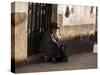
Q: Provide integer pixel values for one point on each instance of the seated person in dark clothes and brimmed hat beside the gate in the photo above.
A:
(52, 46)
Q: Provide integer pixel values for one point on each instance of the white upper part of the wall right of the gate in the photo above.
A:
(79, 15)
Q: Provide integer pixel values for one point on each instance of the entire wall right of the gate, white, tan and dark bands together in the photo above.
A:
(78, 29)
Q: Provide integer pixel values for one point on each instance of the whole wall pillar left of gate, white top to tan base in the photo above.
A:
(19, 25)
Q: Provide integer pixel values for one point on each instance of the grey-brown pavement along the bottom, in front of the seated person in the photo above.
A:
(77, 61)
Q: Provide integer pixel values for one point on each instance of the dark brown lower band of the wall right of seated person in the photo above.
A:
(80, 44)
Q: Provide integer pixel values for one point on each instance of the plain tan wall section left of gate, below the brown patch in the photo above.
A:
(21, 41)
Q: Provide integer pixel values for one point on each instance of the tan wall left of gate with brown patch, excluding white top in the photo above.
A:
(20, 33)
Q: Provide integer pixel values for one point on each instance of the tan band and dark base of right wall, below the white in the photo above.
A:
(78, 38)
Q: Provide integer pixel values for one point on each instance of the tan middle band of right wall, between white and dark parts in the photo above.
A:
(76, 30)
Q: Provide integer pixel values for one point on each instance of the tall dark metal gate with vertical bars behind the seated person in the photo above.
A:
(39, 19)
